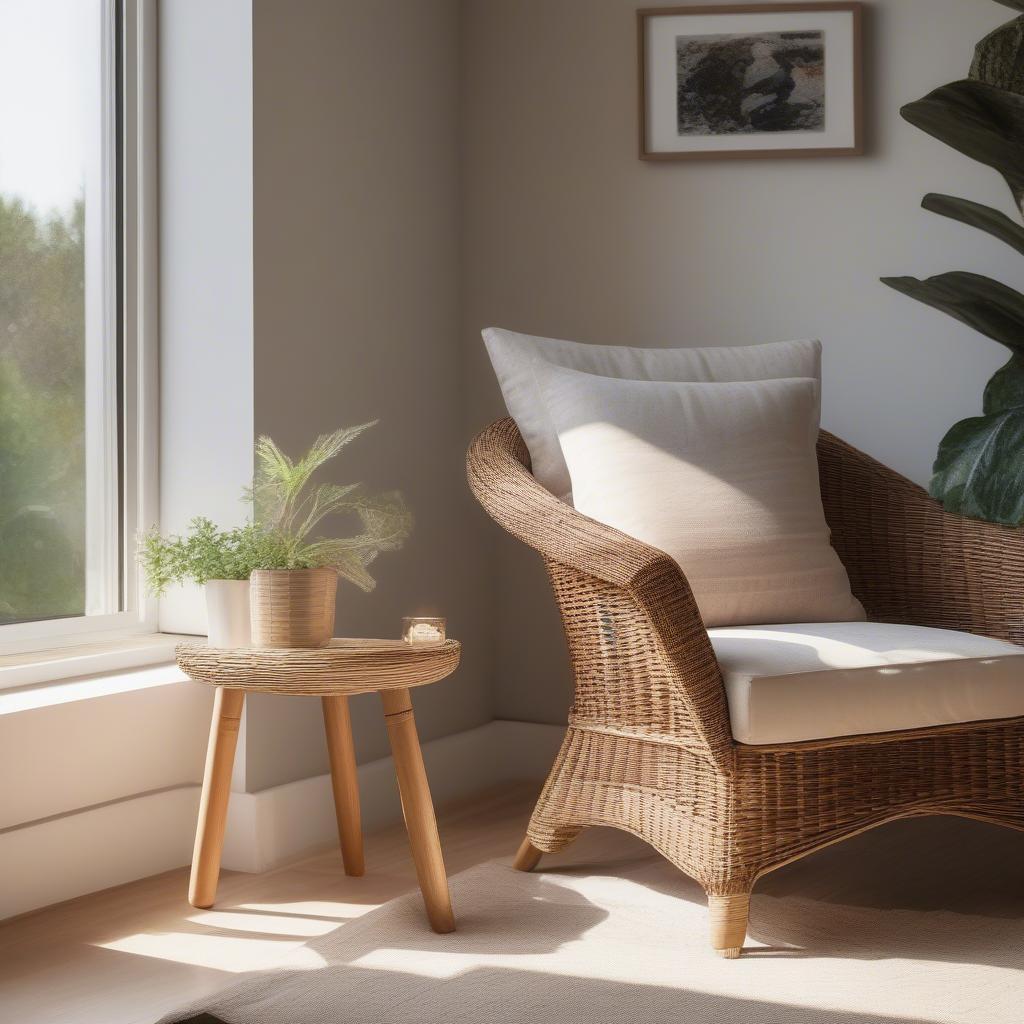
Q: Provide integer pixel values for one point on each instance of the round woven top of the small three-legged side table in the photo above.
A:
(346, 666)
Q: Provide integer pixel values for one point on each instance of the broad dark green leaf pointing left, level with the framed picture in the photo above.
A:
(984, 123)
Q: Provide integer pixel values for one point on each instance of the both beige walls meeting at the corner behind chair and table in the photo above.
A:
(424, 168)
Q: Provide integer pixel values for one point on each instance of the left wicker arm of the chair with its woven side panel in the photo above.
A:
(642, 657)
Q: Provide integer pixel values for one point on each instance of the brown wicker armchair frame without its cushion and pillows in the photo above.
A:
(649, 747)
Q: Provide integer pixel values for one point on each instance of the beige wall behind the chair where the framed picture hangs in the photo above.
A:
(568, 234)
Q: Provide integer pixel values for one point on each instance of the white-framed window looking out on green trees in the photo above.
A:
(76, 337)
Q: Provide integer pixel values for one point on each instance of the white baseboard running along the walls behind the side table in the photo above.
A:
(69, 856)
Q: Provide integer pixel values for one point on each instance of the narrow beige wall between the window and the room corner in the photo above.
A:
(357, 318)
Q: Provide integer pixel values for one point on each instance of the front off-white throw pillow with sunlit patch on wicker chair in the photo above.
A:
(722, 478)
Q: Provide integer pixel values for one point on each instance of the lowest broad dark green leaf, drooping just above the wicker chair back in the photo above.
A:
(979, 471)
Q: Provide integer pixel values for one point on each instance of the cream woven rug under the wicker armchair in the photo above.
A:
(918, 922)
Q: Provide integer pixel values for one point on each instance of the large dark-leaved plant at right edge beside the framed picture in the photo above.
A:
(979, 471)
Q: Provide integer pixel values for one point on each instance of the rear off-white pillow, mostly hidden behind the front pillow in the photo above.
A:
(516, 358)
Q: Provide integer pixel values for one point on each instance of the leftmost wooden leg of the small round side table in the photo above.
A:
(217, 790)
